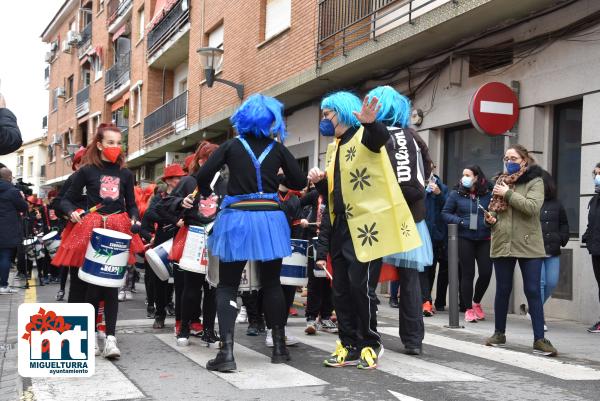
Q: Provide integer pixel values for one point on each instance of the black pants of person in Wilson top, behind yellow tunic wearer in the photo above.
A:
(411, 327)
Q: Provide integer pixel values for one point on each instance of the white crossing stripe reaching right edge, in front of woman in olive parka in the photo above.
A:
(547, 366)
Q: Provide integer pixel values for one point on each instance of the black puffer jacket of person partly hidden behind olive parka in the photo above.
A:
(555, 226)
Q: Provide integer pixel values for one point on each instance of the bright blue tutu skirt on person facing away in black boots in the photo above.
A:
(250, 235)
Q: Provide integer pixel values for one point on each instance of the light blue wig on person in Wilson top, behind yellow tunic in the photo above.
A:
(395, 108)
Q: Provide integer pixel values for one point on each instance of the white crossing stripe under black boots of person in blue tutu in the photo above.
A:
(255, 370)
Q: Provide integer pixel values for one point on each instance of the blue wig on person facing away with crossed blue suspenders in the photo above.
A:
(260, 116)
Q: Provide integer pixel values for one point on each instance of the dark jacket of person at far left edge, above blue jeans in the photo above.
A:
(12, 205)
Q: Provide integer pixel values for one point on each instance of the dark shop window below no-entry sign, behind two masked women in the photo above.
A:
(464, 146)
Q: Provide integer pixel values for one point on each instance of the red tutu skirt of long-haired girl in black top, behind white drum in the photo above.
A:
(74, 242)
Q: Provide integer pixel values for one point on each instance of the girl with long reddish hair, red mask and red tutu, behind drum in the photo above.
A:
(108, 182)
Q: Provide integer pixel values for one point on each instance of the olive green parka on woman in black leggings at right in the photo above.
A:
(518, 231)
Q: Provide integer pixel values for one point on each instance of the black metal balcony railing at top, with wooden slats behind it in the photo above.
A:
(346, 24)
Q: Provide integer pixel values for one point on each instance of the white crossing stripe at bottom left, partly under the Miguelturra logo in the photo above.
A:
(114, 385)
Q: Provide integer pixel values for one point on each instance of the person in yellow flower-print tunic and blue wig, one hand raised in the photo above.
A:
(369, 220)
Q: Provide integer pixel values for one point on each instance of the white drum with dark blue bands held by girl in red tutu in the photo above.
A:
(106, 258)
